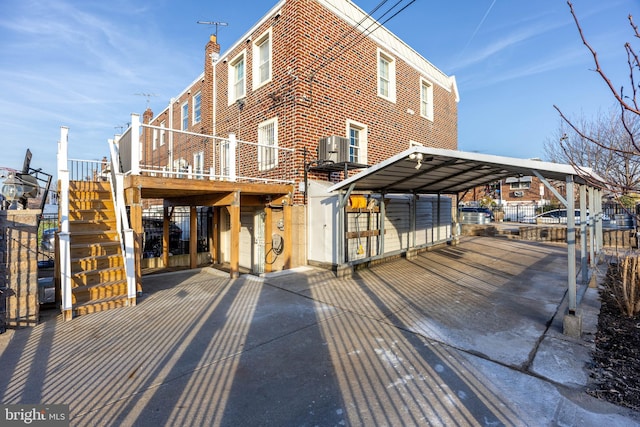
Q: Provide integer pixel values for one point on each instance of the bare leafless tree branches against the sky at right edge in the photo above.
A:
(612, 141)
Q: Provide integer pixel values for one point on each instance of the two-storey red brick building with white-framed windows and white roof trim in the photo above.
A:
(309, 69)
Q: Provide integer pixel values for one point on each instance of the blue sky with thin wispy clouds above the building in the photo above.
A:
(89, 64)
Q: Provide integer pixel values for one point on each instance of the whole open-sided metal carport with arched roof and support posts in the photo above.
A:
(424, 170)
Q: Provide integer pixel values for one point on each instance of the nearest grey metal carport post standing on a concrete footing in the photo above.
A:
(572, 322)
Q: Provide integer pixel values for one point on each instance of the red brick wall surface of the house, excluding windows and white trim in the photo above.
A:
(317, 84)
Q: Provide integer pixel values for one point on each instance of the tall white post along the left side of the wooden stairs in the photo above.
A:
(64, 254)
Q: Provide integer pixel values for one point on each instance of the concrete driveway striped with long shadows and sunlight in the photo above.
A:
(464, 335)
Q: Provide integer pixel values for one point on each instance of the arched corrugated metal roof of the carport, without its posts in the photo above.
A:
(451, 171)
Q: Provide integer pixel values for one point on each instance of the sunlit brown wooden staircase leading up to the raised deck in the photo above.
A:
(98, 274)
